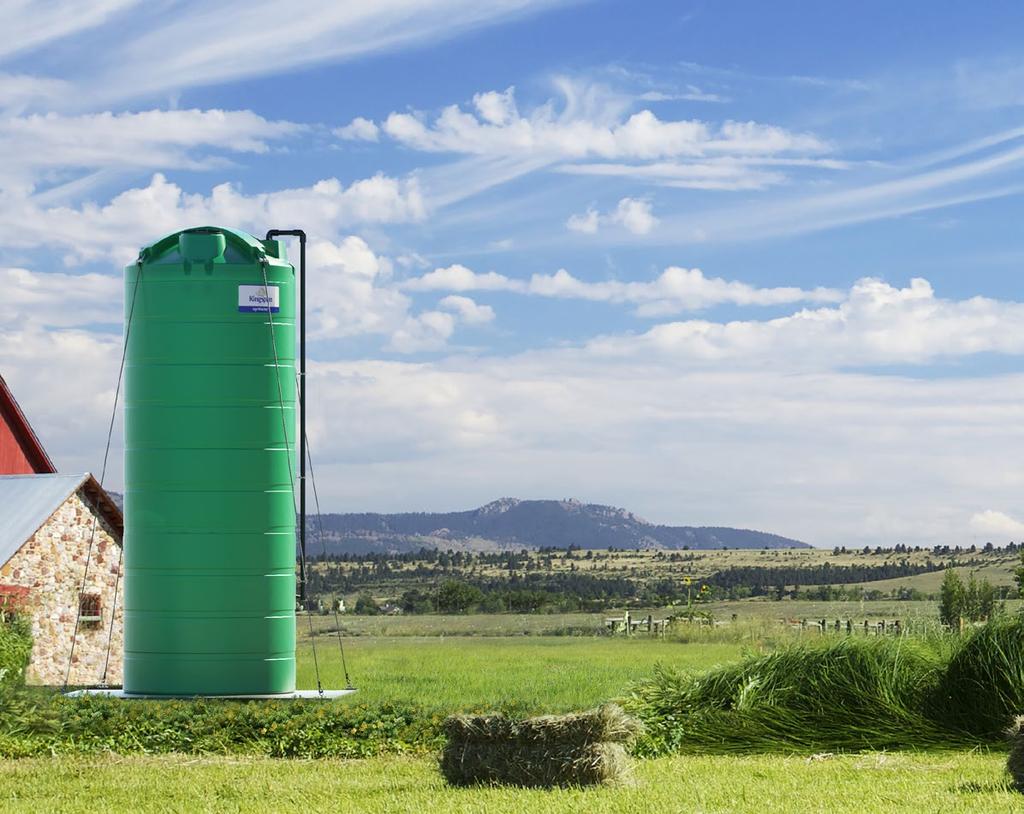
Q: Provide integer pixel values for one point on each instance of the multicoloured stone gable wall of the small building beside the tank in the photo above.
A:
(52, 564)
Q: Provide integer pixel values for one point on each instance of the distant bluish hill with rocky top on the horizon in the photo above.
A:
(511, 524)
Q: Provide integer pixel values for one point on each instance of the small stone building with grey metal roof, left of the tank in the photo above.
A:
(60, 561)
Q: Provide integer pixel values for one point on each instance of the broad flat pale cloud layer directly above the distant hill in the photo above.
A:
(826, 457)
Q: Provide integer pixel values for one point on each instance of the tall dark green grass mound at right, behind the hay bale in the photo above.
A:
(843, 695)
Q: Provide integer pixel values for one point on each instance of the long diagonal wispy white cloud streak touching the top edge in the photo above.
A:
(324, 31)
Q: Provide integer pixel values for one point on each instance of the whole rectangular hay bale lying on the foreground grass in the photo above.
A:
(583, 749)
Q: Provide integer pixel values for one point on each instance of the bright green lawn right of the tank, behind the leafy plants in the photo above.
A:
(525, 675)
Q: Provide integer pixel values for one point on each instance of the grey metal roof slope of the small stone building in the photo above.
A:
(27, 502)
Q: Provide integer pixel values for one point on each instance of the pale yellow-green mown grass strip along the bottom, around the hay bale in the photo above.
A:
(867, 784)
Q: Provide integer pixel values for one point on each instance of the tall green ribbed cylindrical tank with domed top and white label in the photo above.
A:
(209, 506)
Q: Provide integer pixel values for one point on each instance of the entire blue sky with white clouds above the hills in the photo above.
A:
(735, 264)
